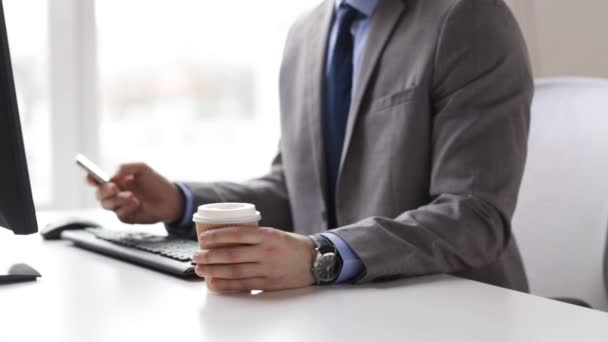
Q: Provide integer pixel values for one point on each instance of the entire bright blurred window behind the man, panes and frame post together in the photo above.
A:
(189, 86)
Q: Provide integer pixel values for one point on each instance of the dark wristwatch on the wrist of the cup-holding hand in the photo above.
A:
(327, 263)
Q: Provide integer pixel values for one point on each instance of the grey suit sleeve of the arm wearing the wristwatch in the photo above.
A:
(481, 92)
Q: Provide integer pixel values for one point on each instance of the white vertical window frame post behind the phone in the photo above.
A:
(73, 99)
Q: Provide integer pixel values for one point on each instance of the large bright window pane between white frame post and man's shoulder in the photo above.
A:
(191, 87)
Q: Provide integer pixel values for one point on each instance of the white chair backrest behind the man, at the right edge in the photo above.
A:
(562, 214)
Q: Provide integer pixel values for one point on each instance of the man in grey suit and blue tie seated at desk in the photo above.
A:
(404, 129)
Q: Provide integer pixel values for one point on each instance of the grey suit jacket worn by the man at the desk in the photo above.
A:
(435, 144)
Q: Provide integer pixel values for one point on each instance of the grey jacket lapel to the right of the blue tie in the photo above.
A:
(383, 22)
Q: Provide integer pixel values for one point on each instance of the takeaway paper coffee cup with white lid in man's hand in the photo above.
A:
(218, 215)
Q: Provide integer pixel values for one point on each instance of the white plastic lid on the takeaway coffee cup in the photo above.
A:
(219, 213)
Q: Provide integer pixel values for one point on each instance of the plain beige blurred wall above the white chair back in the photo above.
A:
(565, 37)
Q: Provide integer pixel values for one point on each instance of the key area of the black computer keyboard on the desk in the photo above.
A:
(166, 246)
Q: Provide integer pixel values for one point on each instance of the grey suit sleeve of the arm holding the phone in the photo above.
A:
(268, 193)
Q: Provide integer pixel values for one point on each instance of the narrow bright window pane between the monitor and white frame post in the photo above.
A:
(26, 23)
